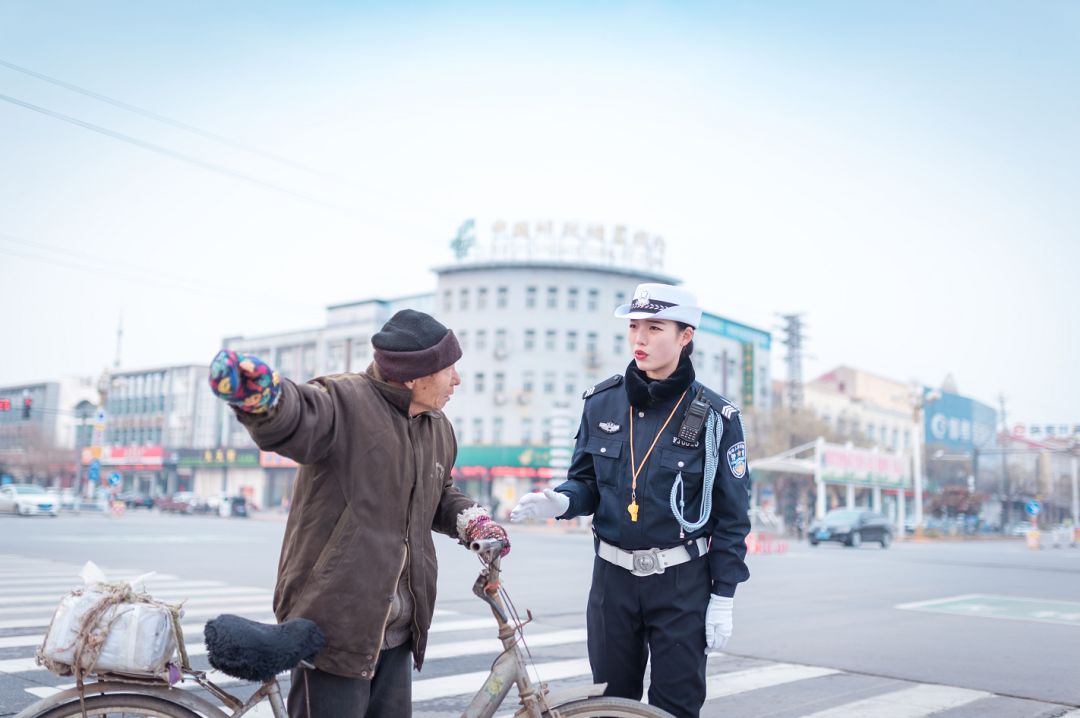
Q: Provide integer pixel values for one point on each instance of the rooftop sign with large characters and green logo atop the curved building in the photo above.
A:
(570, 242)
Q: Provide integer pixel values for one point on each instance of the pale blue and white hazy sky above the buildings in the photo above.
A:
(902, 173)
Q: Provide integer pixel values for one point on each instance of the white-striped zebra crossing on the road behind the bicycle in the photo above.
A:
(462, 648)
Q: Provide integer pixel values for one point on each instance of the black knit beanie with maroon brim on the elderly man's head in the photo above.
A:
(414, 345)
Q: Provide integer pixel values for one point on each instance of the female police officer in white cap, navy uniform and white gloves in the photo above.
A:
(661, 464)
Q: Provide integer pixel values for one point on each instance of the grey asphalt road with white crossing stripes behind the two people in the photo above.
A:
(968, 629)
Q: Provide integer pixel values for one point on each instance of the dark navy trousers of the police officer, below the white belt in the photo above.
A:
(631, 617)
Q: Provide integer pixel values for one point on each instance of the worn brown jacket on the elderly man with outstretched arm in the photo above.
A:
(373, 485)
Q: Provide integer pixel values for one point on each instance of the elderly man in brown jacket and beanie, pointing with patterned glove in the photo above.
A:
(358, 559)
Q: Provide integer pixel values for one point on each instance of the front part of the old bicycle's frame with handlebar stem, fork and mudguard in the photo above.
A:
(510, 669)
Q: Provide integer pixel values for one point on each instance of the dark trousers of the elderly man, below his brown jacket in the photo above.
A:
(389, 695)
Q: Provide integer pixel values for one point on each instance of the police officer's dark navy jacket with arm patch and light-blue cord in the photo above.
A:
(600, 479)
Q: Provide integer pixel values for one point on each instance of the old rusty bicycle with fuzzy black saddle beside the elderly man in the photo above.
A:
(125, 696)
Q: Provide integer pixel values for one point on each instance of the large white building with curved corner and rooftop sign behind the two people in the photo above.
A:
(534, 311)
